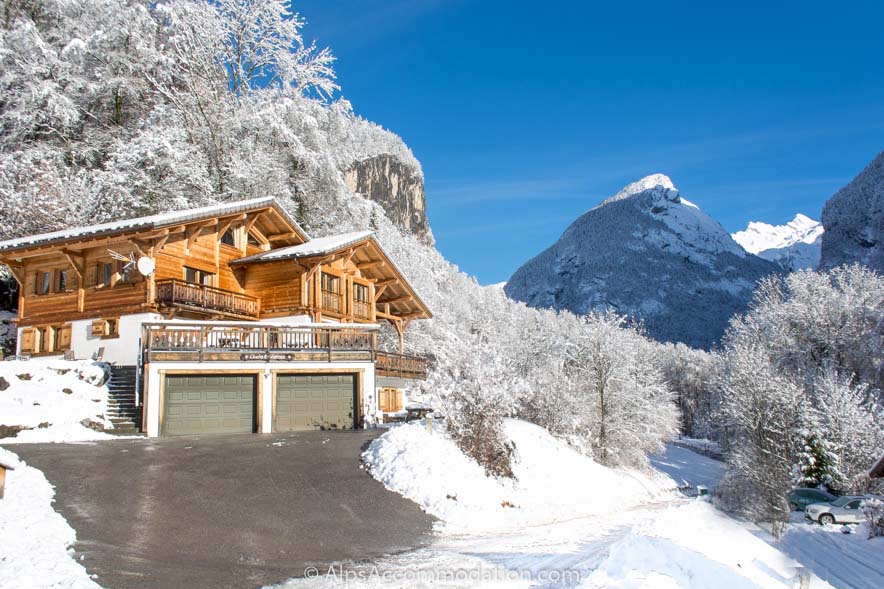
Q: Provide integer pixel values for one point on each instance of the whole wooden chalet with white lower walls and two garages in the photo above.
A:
(224, 318)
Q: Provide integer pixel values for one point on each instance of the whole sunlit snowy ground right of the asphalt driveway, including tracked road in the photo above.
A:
(581, 524)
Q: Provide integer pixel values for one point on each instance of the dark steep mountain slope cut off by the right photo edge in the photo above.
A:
(854, 221)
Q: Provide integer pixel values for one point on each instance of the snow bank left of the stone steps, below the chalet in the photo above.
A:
(52, 398)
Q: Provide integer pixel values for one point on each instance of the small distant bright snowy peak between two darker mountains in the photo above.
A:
(794, 246)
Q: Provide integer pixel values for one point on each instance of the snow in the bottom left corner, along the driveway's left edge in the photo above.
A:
(34, 539)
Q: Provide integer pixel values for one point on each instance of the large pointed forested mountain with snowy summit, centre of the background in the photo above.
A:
(651, 254)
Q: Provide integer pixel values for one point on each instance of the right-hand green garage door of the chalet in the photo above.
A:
(314, 401)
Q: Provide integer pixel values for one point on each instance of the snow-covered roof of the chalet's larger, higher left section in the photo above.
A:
(158, 221)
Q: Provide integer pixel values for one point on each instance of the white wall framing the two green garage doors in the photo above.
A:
(151, 425)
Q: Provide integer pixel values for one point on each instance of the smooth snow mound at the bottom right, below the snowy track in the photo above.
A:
(694, 545)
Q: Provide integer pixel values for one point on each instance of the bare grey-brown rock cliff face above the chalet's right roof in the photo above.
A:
(396, 187)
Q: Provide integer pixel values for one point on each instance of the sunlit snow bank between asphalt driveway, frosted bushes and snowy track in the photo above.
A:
(552, 481)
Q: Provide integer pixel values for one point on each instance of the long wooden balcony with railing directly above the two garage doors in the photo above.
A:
(214, 342)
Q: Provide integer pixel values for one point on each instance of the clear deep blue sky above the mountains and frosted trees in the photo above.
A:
(525, 115)
